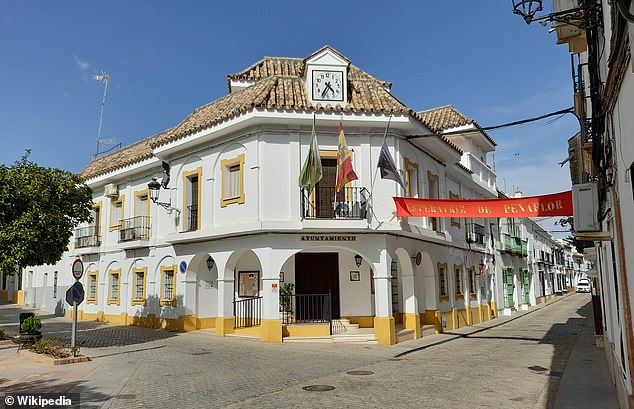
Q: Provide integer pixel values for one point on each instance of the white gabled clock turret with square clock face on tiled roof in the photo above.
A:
(327, 77)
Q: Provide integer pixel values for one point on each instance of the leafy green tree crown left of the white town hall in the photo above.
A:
(39, 208)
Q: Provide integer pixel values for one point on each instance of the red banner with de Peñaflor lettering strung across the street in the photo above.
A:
(558, 204)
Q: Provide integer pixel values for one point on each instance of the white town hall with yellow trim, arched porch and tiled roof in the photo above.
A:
(231, 228)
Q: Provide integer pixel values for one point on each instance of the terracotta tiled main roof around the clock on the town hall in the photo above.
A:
(278, 84)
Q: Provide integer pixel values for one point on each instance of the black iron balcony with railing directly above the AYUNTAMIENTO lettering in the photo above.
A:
(325, 203)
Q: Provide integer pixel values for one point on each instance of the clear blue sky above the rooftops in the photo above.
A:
(167, 58)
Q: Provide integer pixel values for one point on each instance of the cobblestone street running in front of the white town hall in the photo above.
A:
(518, 362)
